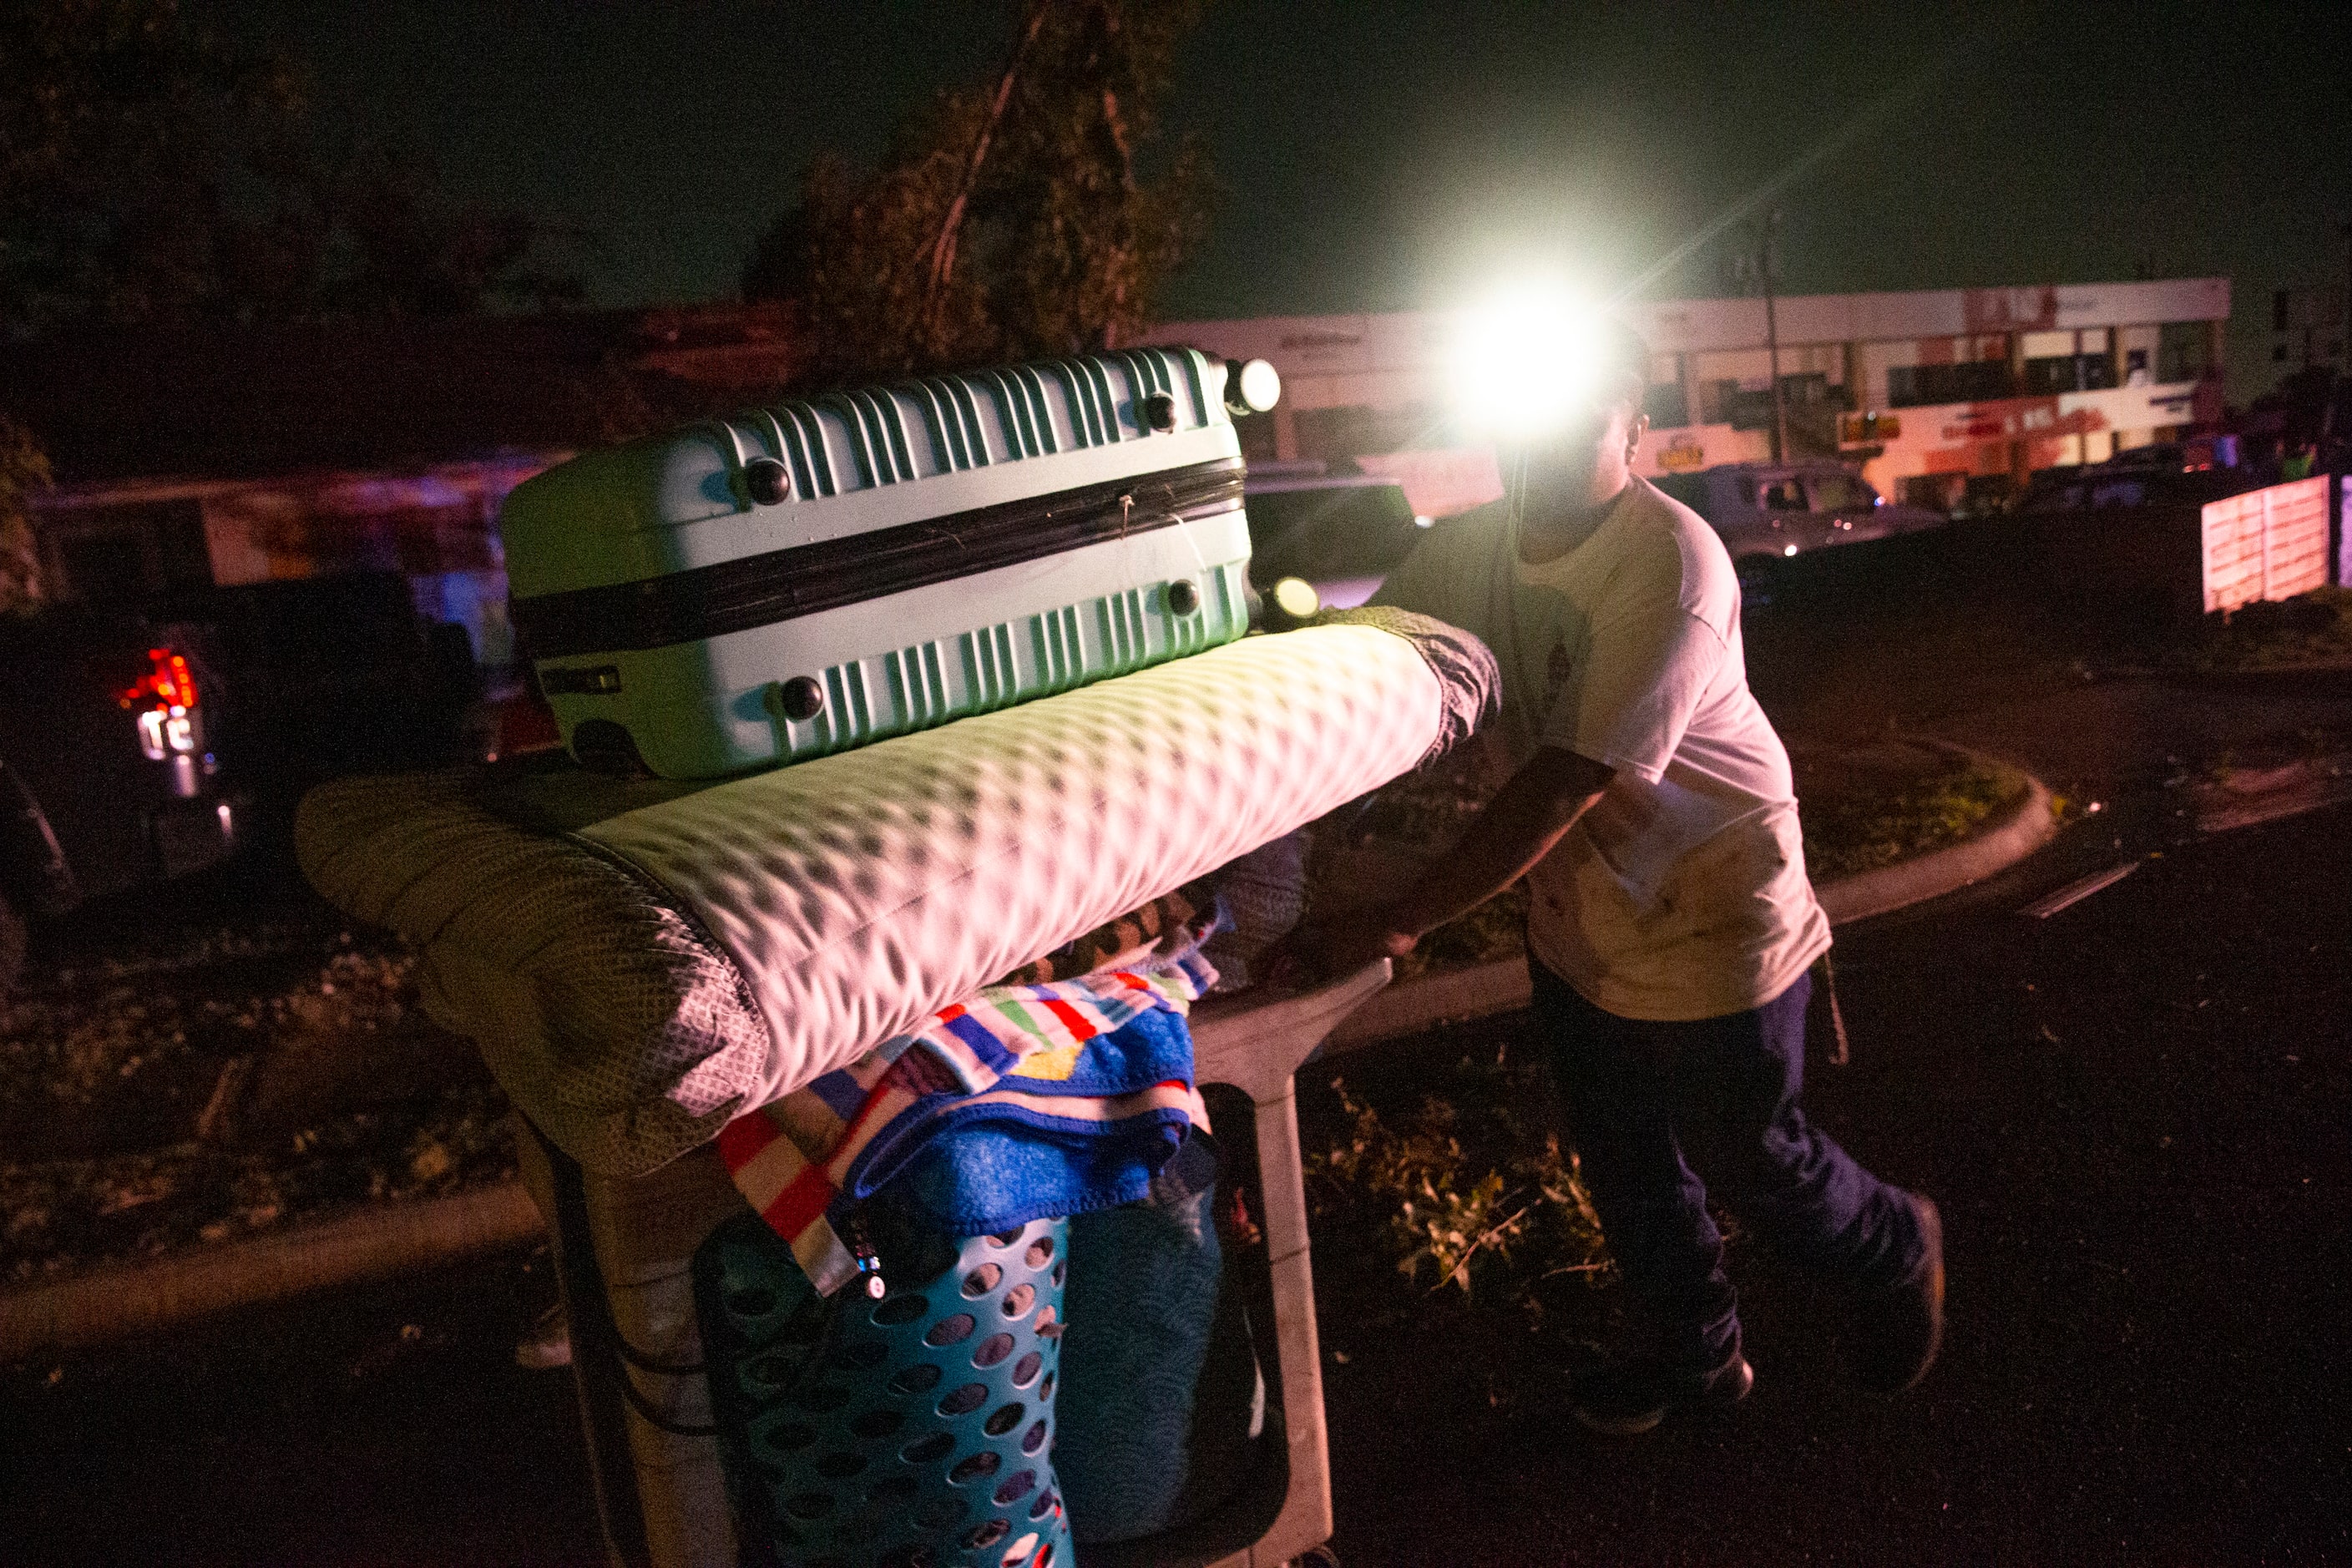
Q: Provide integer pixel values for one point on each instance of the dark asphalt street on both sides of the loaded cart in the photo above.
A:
(2132, 1113)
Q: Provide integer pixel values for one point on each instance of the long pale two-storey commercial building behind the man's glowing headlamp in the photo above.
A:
(1944, 396)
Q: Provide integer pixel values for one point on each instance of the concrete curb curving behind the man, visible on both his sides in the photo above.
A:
(1502, 986)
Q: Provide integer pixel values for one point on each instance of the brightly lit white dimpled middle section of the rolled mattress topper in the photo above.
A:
(862, 892)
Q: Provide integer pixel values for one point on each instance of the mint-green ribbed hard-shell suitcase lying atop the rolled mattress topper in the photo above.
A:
(822, 575)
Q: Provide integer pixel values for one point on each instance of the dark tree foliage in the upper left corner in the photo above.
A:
(149, 175)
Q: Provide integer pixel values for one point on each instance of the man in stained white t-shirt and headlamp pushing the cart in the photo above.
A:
(1671, 920)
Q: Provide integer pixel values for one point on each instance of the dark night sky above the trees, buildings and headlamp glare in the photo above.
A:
(1384, 156)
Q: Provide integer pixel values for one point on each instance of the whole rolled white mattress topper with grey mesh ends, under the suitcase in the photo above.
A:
(646, 960)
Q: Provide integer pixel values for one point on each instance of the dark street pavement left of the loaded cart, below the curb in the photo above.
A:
(368, 1428)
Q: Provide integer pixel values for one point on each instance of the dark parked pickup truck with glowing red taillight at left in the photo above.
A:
(123, 728)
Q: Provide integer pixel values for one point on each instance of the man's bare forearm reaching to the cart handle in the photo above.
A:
(1518, 829)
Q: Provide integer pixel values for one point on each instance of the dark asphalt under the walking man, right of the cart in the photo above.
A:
(2134, 1120)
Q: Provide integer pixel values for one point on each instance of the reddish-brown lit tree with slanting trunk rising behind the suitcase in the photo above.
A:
(1010, 220)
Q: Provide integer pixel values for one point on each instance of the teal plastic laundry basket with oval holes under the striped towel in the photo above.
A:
(900, 1433)
